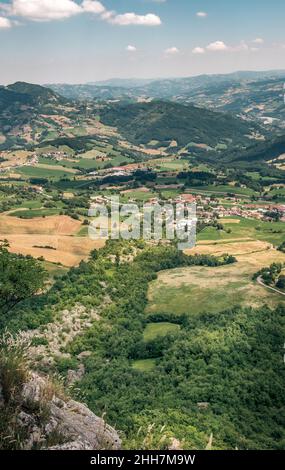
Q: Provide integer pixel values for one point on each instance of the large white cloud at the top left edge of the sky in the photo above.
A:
(43, 10)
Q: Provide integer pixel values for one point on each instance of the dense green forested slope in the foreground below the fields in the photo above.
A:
(219, 374)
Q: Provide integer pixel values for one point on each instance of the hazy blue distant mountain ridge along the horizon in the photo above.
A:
(256, 95)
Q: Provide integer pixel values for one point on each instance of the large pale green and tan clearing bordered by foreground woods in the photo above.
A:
(195, 290)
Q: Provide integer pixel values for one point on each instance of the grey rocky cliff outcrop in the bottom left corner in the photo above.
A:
(44, 420)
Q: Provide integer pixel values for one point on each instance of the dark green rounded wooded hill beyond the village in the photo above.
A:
(166, 121)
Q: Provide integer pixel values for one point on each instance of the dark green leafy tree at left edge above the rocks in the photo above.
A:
(20, 278)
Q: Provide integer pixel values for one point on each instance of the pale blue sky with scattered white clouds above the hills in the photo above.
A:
(78, 41)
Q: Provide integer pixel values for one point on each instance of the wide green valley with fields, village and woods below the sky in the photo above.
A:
(151, 337)
